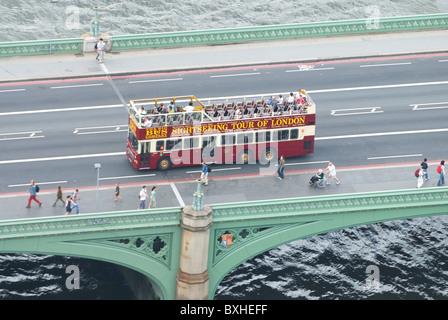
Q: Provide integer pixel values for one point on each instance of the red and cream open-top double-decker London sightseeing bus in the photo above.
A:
(182, 131)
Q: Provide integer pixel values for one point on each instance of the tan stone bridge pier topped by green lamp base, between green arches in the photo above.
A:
(192, 280)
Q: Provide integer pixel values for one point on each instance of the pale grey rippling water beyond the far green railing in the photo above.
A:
(31, 20)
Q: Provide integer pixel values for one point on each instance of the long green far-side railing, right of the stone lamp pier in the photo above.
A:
(277, 32)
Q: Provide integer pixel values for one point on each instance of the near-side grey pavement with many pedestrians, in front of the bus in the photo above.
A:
(224, 189)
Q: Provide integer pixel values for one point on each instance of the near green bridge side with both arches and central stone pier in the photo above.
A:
(161, 243)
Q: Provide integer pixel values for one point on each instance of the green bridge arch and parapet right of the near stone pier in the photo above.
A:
(257, 226)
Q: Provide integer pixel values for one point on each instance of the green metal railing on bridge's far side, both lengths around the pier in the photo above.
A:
(235, 35)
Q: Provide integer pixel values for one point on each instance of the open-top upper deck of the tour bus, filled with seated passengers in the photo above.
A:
(188, 110)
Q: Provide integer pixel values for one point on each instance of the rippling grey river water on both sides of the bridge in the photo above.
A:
(410, 256)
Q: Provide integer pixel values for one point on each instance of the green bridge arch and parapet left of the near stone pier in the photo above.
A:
(144, 242)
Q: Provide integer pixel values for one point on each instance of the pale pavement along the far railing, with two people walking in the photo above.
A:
(190, 58)
